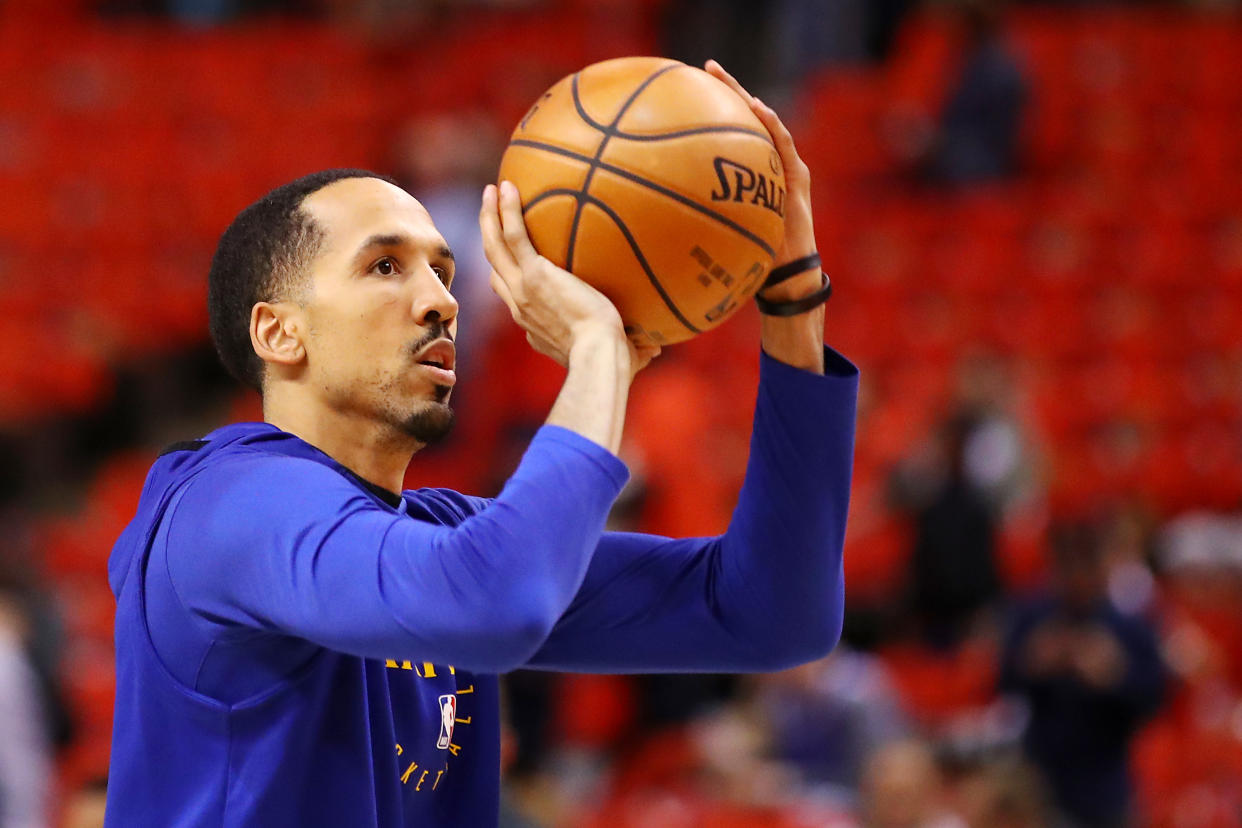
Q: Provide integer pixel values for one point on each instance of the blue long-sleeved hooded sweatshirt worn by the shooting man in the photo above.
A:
(299, 647)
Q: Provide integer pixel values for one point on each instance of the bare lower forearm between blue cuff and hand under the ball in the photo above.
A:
(593, 400)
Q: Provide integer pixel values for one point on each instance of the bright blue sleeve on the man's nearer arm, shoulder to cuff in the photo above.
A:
(291, 547)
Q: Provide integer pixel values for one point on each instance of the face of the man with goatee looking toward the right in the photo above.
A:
(381, 320)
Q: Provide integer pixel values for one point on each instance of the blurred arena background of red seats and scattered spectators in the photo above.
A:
(1033, 214)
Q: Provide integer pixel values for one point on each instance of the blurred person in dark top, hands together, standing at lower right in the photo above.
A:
(1091, 677)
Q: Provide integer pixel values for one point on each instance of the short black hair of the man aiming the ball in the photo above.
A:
(260, 259)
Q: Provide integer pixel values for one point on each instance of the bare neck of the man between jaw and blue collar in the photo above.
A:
(373, 451)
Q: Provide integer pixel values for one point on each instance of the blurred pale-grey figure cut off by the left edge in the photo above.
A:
(25, 748)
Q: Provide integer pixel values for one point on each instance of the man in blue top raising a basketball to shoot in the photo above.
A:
(300, 645)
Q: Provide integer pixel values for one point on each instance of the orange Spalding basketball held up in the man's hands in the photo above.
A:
(655, 183)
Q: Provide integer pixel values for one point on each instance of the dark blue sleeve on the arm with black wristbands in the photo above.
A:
(766, 595)
